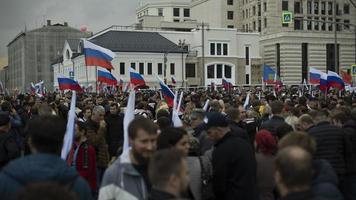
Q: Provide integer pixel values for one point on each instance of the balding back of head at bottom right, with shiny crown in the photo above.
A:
(294, 168)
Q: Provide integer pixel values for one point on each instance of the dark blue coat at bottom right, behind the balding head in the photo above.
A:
(325, 181)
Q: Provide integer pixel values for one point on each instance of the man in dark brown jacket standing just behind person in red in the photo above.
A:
(96, 135)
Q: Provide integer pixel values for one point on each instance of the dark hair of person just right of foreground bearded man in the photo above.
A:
(170, 137)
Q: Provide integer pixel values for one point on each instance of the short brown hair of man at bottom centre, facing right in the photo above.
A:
(164, 164)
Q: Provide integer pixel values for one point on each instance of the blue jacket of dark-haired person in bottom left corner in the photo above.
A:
(40, 168)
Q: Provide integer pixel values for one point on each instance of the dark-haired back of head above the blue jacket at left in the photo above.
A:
(46, 133)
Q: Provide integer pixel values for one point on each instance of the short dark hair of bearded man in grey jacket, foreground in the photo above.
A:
(141, 123)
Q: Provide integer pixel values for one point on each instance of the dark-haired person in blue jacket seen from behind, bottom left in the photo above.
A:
(45, 164)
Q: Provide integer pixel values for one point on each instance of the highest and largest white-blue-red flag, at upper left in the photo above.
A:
(97, 56)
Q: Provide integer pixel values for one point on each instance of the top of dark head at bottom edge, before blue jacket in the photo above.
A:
(46, 191)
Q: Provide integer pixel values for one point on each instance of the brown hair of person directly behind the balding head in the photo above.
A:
(300, 139)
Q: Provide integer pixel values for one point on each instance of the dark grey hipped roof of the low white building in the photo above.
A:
(136, 41)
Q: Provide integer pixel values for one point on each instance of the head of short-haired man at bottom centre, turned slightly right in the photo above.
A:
(168, 172)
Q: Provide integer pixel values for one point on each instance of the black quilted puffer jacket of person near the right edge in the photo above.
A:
(330, 145)
